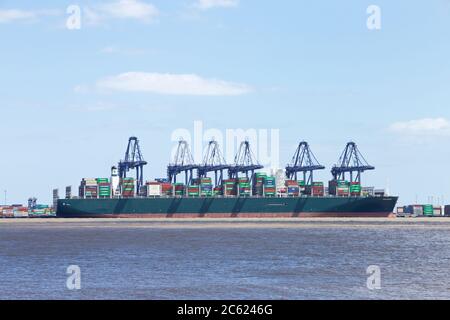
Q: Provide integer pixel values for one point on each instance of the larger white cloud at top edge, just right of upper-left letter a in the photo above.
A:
(121, 9)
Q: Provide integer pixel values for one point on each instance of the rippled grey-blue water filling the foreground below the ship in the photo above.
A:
(286, 259)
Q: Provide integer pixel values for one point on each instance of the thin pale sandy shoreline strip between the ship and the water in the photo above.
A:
(230, 223)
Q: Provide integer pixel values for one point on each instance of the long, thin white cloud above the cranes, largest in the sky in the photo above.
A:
(171, 84)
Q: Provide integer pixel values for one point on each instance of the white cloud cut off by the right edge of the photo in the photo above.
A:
(426, 126)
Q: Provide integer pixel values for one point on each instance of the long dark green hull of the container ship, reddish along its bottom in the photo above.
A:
(228, 207)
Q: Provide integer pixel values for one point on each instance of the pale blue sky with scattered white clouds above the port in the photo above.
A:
(73, 90)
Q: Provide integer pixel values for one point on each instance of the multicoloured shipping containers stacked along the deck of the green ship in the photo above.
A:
(263, 185)
